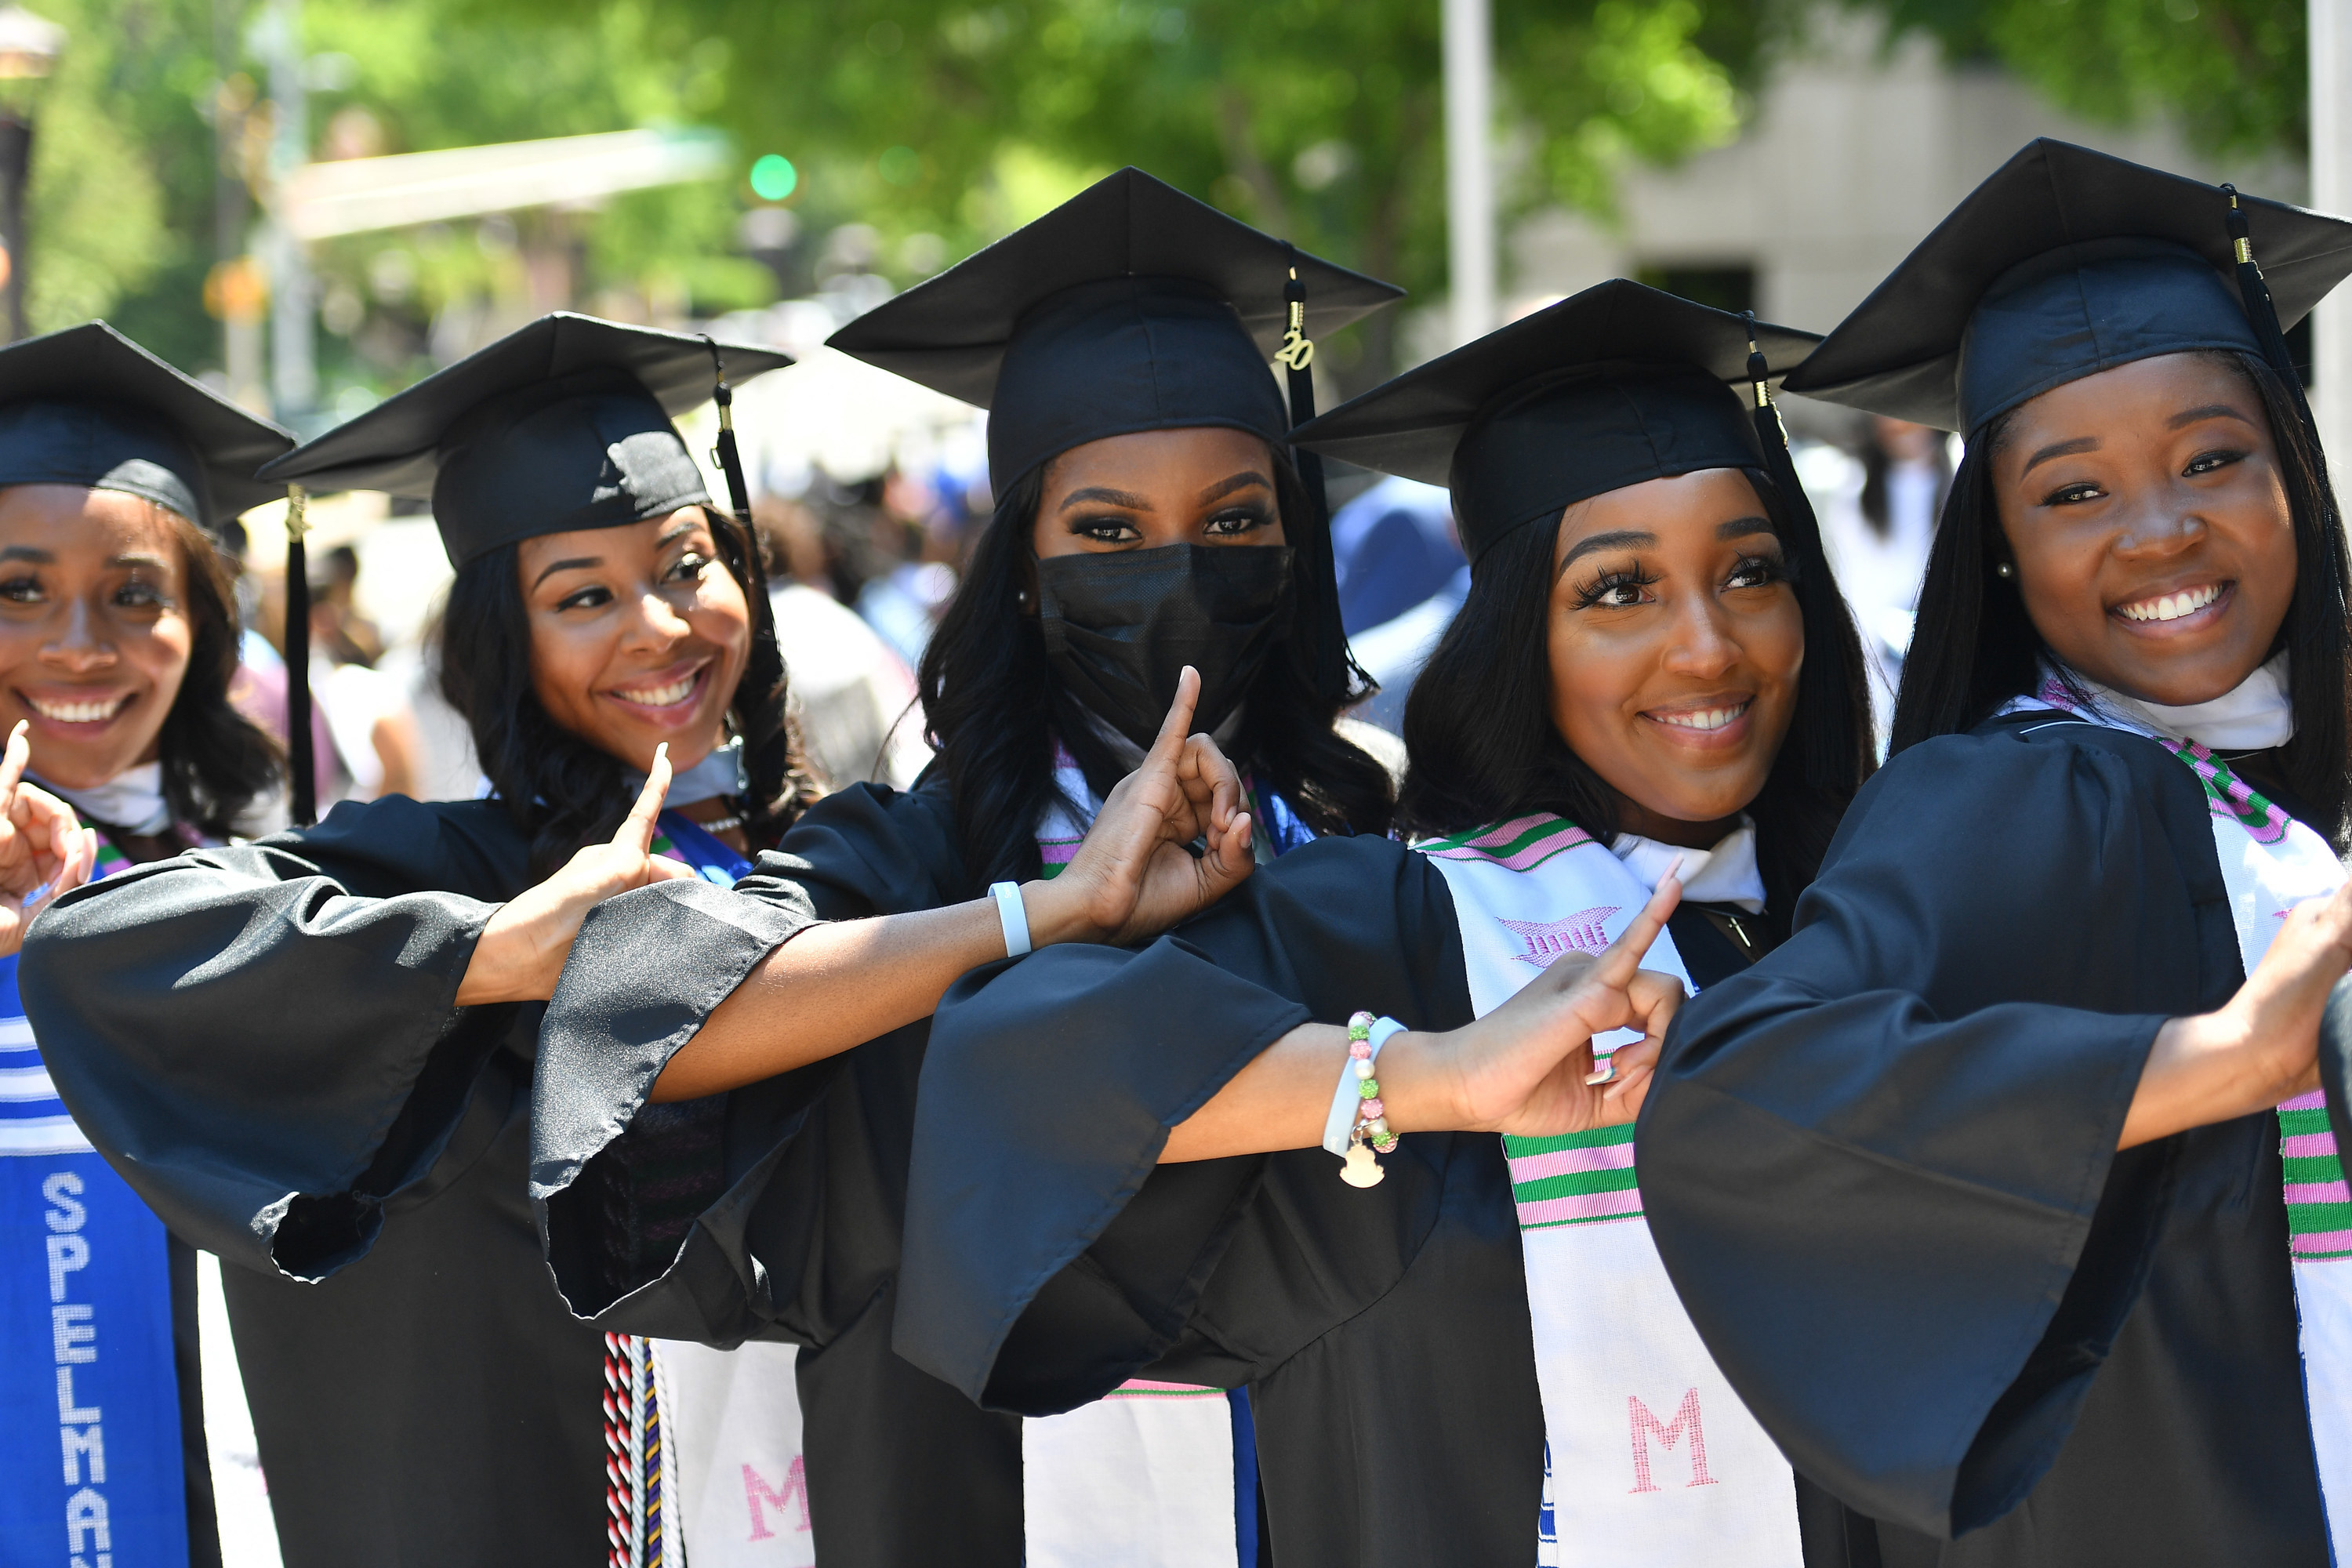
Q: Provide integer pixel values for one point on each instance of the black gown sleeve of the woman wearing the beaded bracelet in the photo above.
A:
(1050, 1257)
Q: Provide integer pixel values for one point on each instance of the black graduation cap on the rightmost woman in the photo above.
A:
(2064, 264)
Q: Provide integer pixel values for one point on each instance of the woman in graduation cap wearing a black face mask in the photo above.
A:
(1149, 518)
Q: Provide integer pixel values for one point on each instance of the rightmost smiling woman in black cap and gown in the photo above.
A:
(1977, 1186)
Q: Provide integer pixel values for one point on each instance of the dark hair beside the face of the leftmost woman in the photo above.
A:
(215, 760)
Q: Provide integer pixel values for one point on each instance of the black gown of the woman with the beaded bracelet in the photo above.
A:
(1387, 1332)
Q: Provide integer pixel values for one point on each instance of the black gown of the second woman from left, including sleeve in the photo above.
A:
(265, 1043)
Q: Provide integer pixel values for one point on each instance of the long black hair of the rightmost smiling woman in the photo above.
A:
(1977, 648)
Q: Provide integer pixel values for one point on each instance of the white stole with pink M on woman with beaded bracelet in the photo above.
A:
(1650, 1456)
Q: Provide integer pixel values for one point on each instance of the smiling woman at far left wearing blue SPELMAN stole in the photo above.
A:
(119, 643)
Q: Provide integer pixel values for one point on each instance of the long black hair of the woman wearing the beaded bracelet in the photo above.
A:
(1485, 746)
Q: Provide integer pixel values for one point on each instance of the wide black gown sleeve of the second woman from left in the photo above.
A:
(267, 1040)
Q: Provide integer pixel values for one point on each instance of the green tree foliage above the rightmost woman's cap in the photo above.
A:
(2233, 72)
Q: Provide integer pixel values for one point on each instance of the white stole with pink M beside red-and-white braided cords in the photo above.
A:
(702, 1442)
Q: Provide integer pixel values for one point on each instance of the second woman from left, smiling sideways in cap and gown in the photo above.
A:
(312, 1054)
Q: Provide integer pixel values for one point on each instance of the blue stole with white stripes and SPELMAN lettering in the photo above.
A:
(86, 1306)
